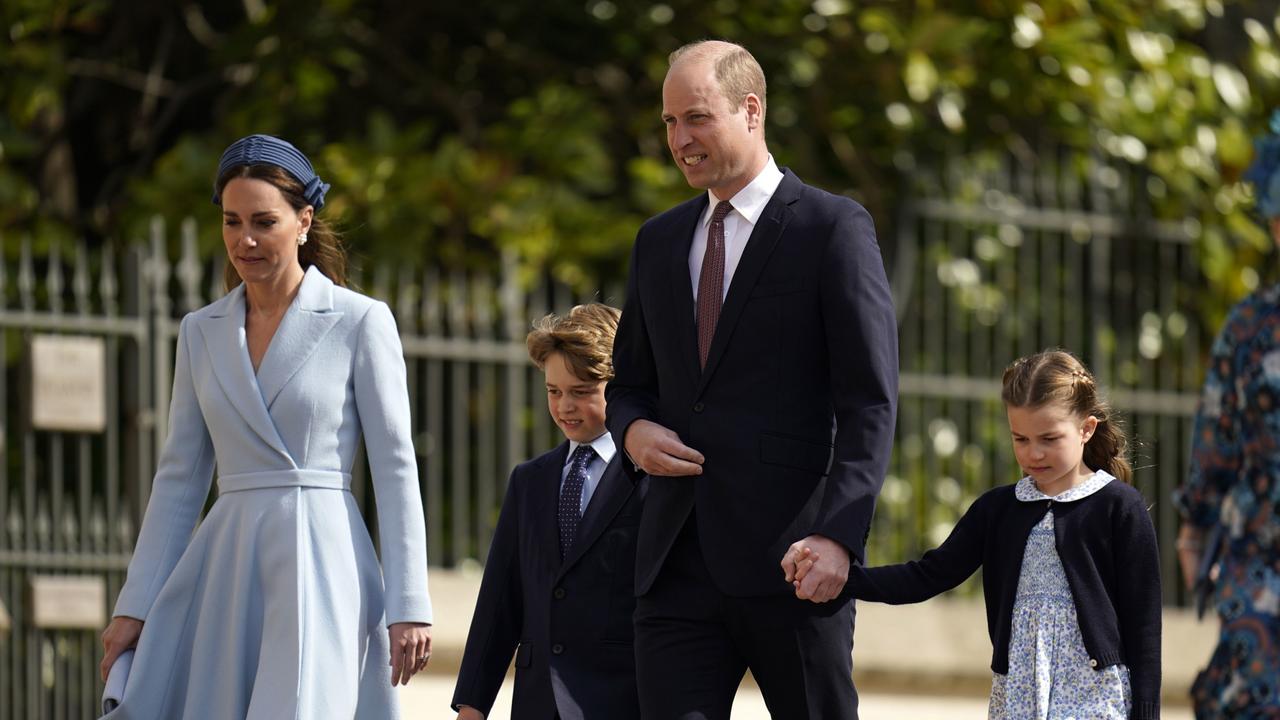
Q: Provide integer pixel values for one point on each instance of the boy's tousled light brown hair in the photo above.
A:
(584, 338)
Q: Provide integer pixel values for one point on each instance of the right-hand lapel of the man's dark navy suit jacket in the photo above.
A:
(756, 256)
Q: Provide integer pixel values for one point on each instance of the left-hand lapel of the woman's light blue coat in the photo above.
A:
(226, 343)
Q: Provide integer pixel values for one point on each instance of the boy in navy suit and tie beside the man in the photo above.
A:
(559, 585)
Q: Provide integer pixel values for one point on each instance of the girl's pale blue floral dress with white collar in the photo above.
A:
(1050, 677)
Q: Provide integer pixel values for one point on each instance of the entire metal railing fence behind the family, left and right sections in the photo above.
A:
(994, 261)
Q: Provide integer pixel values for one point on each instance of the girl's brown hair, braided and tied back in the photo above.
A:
(1055, 377)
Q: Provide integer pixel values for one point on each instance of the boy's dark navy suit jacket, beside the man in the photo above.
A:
(569, 625)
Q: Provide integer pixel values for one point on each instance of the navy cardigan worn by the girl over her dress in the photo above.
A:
(1108, 546)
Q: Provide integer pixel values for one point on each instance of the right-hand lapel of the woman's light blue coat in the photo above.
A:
(304, 326)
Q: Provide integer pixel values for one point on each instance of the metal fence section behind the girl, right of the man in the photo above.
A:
(999, 259)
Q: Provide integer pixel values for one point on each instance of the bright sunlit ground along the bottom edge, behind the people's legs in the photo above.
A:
(428, 699)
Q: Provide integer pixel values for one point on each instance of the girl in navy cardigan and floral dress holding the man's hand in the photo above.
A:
(1069, 558)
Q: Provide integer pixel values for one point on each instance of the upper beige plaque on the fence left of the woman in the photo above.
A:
(68, 384)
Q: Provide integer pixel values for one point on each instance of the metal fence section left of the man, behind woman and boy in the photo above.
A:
(71, 503)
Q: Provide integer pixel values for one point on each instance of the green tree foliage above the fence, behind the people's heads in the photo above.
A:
(454, 131)
